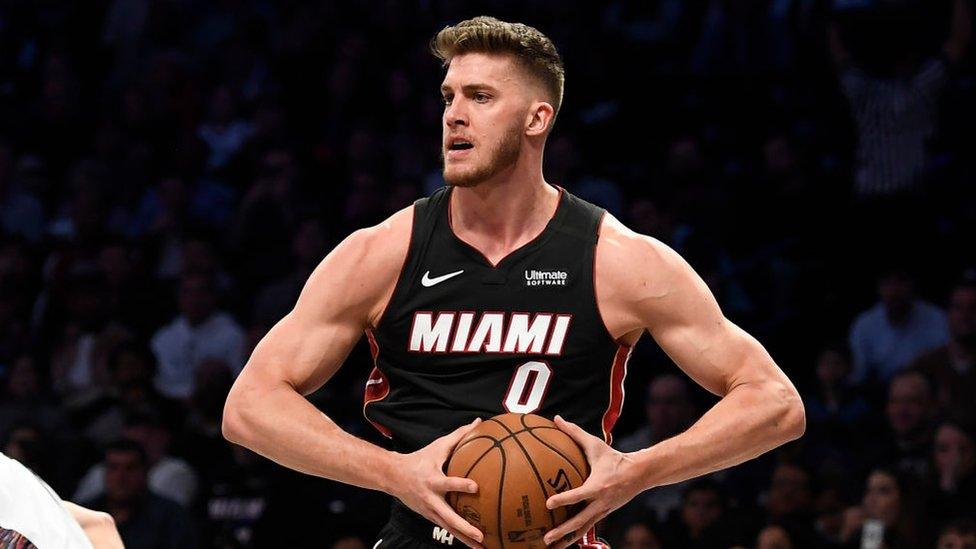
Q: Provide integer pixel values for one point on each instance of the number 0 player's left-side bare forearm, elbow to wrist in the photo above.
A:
(281, 425)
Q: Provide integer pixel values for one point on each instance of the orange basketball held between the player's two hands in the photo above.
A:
(518, 461)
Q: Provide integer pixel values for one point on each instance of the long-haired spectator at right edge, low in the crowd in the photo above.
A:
(954, 471)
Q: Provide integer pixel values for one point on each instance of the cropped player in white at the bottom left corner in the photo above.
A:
(33, 516)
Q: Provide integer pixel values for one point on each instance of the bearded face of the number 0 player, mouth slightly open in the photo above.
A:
(485, 104)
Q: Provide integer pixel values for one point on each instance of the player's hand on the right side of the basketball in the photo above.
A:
(611, 484)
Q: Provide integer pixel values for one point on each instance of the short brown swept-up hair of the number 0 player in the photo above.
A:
(533, 50)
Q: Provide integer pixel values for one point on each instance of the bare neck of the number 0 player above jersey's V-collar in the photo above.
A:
(499, 215)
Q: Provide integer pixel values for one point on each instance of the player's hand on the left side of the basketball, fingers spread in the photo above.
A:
(422, 485)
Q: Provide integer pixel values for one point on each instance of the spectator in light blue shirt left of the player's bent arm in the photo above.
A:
(200, 332)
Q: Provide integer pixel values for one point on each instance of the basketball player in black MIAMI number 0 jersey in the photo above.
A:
(501, 292)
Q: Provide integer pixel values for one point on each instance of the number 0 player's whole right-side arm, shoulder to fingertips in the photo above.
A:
(643, 284)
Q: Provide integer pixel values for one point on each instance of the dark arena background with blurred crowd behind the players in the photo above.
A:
(171, 171)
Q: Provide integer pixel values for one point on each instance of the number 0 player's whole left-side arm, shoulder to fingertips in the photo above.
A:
(267, 411)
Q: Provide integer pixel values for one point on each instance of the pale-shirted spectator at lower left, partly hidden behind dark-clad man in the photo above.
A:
(167, 476)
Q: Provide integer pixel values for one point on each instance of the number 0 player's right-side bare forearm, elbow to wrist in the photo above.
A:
(750, 420)
